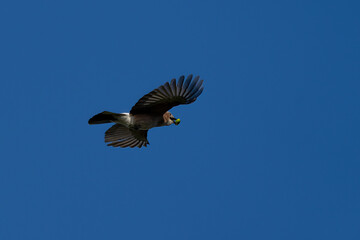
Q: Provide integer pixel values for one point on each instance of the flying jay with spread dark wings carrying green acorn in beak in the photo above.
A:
(152, 110)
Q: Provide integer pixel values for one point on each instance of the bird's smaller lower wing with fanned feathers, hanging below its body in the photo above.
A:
(121, 136)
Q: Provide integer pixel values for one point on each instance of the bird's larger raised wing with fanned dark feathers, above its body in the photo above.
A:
(169, 95)
